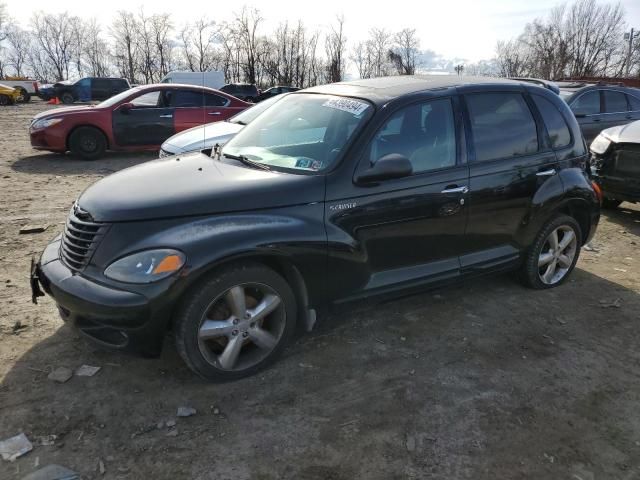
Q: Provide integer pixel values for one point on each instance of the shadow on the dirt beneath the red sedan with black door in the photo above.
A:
(65, 164)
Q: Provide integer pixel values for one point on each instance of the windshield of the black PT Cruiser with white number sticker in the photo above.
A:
(303, 132)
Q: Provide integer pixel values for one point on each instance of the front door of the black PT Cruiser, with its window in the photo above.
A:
(406, 231)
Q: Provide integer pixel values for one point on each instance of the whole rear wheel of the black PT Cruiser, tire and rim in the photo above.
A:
(538, 275)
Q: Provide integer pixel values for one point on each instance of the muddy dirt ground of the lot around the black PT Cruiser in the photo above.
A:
(485, 380)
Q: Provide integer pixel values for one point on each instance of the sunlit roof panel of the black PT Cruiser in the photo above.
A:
(383, 89)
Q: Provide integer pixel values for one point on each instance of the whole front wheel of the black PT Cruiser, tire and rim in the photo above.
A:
(208, 351)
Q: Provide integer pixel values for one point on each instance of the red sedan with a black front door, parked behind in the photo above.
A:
(139, 119)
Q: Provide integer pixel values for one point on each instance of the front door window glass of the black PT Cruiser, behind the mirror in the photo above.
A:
(424, 133)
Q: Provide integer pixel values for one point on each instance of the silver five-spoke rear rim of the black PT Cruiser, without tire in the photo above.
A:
(557, 255)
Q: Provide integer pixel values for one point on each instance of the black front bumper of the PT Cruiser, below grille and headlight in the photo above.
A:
(114, 318)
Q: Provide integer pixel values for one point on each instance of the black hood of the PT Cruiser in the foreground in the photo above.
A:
(194, 184)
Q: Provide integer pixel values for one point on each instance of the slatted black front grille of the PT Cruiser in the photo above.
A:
(80, 240)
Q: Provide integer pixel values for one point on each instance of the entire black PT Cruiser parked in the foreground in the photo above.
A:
(333, 194)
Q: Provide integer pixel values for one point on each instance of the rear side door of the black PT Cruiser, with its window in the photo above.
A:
(509, 161)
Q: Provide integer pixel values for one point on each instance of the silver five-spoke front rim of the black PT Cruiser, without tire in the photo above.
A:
(241, 327)
